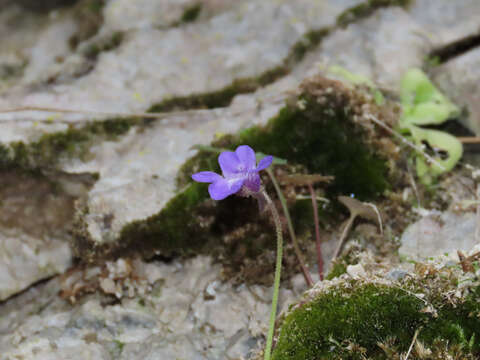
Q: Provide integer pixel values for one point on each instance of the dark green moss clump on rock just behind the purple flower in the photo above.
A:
(325, 142)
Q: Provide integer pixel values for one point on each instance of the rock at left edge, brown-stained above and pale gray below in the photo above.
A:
(35, 220)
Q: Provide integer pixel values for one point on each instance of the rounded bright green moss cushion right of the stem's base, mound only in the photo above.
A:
(324, 328)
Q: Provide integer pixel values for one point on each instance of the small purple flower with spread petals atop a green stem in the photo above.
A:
(240, 172)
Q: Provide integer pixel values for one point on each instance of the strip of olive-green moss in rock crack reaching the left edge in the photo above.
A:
(50, 148)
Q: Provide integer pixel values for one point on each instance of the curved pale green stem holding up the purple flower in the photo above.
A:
(276, 282)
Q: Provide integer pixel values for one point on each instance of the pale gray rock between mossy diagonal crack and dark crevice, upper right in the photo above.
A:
(382, 47)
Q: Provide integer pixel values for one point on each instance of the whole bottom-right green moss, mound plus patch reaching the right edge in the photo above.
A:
(364, 316)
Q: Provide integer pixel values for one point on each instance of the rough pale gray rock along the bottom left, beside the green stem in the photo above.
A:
(179, 311)
